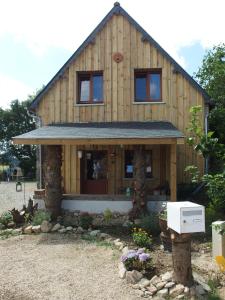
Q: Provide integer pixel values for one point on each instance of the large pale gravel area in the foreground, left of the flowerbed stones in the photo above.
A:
(59, 267)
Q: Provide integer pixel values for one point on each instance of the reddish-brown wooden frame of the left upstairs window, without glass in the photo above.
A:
(89, 74)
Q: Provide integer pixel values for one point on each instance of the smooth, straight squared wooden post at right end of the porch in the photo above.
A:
(173, 172)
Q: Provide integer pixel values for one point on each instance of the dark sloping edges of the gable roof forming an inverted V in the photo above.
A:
(118, 10)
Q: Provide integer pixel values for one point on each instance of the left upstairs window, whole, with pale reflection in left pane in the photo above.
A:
(90, 87)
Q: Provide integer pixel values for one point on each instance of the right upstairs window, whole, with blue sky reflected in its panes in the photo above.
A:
(148, 85)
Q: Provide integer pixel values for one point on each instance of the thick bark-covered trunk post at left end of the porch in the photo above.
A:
(53, 188)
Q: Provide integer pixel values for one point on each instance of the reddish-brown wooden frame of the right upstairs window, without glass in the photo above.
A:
(147, 73)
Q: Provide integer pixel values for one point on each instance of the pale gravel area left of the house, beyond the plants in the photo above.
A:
(9, 198)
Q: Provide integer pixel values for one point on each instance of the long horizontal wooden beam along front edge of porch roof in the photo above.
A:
(133, 141)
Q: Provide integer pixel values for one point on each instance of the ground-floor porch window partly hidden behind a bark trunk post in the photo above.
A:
(129, 164)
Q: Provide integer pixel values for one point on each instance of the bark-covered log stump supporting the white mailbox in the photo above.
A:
(181, 255)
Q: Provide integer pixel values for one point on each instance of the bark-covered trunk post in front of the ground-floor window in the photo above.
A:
(139, 177)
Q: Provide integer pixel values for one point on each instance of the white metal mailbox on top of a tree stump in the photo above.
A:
(185, 217)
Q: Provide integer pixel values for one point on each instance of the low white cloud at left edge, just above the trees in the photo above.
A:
(11, 89)
